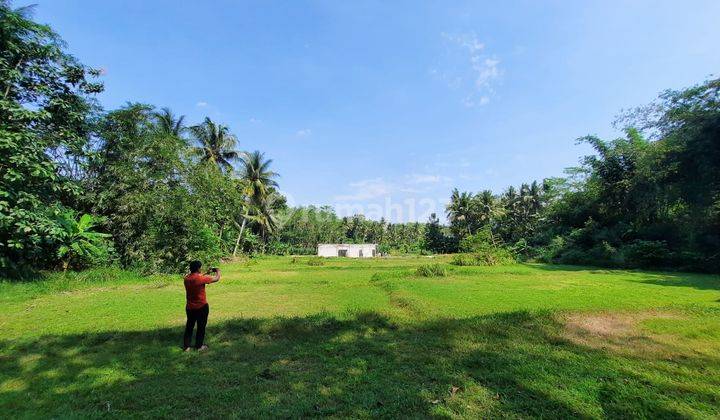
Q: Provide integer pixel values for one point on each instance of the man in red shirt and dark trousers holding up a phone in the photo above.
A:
(196, 308)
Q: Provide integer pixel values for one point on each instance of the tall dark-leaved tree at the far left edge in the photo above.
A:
(45, 104)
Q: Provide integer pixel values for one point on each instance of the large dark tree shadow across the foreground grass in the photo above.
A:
(515, 364)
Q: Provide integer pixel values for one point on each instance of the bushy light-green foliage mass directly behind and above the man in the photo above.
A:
(161, 209)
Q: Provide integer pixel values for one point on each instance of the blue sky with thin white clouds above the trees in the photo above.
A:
(384, 107)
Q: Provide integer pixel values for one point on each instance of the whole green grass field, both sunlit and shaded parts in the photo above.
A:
(364, 339)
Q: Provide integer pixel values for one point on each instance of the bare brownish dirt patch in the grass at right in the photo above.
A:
(619, 332)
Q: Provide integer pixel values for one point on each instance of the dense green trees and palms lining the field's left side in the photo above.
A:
(135, 186)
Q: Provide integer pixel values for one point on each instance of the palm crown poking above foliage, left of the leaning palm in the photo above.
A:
(215, 144)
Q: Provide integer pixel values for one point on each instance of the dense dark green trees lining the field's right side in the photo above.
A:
(648, 199)
